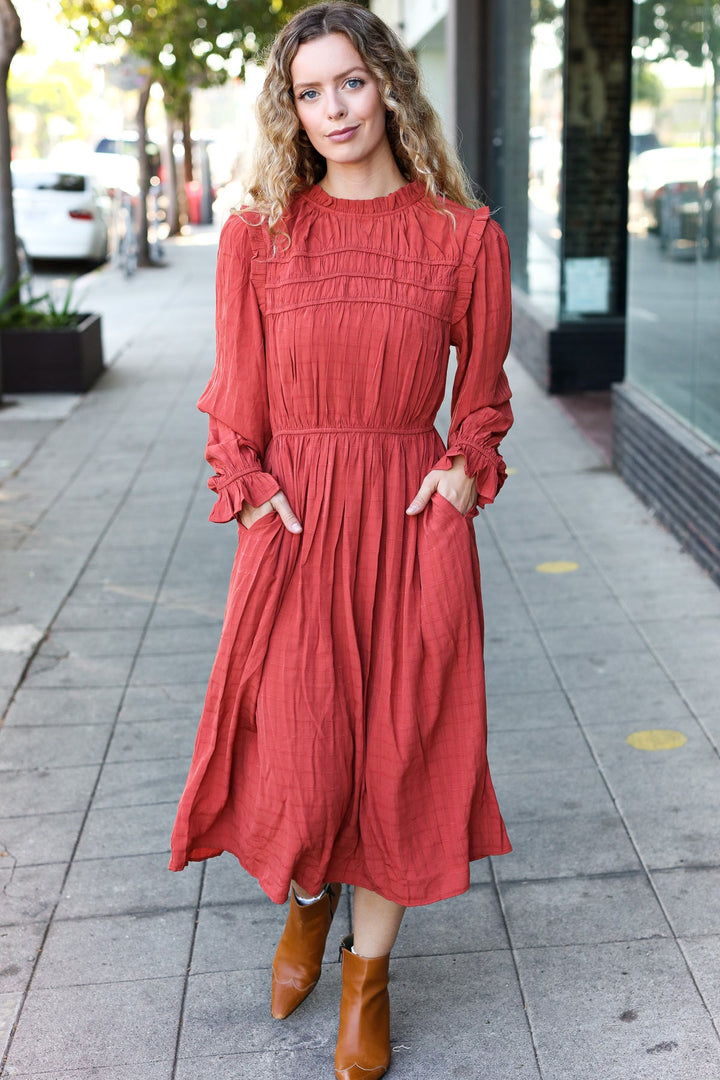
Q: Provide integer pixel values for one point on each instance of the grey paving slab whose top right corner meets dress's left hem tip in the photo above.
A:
(128, 886)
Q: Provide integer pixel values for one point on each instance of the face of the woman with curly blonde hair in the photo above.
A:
(338, 102)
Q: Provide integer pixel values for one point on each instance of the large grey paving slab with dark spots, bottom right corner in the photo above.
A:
(631, 1010)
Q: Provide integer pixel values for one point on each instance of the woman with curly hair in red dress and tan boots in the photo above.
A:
(344, 738)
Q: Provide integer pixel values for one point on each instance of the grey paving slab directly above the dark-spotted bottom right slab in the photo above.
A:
(582, 912)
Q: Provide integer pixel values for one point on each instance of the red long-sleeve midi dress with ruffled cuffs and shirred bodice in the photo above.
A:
(344, 735)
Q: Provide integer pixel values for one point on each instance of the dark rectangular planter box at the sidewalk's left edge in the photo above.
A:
(62, 360)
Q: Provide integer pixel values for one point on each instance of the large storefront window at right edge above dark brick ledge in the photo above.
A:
(674, 283)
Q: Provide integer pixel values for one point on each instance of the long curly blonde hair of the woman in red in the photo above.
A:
(286, 160)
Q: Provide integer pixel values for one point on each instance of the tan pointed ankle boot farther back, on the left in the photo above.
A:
(300, 957)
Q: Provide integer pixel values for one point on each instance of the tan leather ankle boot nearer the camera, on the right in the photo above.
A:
(363, 1049)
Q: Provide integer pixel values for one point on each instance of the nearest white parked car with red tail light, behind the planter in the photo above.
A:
(60, 214)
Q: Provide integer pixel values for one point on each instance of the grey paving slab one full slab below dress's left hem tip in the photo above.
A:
(116, 949)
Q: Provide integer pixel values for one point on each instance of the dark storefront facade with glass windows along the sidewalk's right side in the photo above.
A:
(596, 131)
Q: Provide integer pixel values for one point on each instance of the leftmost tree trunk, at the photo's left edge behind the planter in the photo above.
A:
(10, 42)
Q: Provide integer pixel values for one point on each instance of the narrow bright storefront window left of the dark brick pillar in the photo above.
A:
(546, 155)
